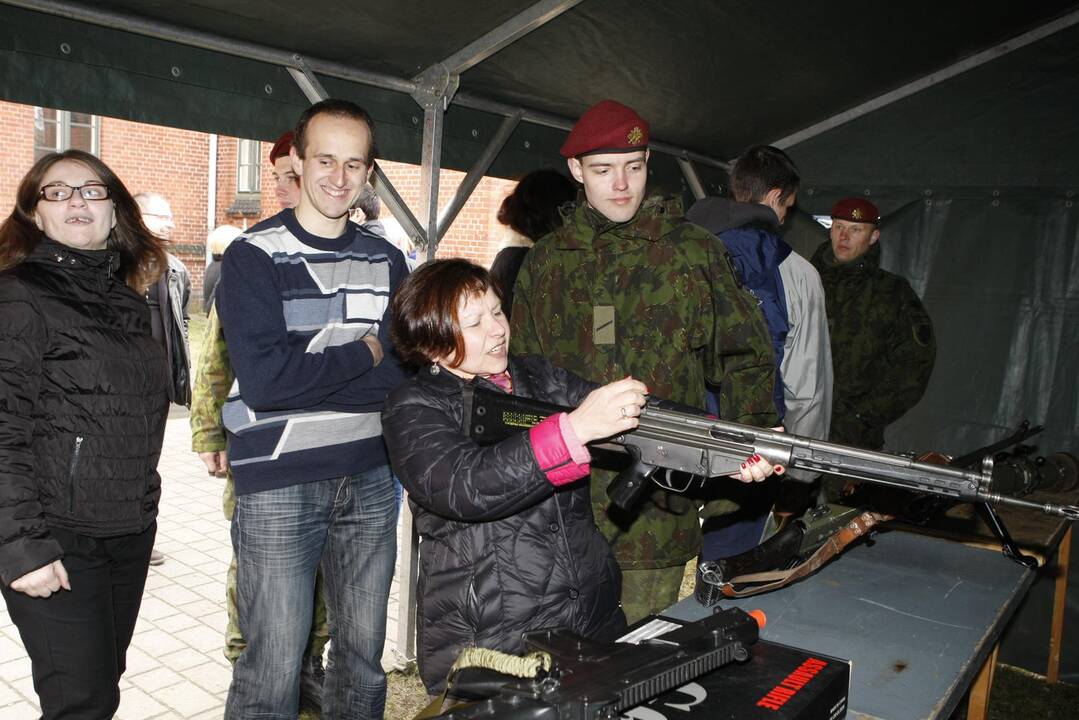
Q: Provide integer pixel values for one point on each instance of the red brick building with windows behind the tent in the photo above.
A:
(179, 164)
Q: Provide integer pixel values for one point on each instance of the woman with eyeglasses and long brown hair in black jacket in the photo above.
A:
(84, 403)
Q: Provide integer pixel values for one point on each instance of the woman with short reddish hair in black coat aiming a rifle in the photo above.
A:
(509, 541)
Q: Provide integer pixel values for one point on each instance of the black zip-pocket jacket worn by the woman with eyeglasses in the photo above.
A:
(84, 403)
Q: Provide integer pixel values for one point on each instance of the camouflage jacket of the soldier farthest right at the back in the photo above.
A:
(883, 346)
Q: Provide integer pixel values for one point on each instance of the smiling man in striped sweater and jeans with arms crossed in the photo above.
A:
(304, 302)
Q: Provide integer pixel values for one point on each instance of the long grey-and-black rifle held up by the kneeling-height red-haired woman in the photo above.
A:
(708, 447)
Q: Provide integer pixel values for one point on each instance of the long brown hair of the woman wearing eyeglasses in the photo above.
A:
(142, 254)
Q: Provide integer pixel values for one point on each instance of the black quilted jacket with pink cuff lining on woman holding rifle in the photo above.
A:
(502, 551)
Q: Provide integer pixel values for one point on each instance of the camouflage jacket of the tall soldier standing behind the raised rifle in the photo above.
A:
(655, 298)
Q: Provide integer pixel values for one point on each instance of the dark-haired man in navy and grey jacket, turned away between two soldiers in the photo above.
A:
(766, 185)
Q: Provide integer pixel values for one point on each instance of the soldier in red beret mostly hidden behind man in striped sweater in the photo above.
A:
(214, 377)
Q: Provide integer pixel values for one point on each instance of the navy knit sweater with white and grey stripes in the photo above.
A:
(294, 307)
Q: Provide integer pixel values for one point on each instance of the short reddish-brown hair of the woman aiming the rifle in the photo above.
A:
(426, 325)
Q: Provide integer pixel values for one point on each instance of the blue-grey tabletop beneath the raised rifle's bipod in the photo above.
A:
(920, 617)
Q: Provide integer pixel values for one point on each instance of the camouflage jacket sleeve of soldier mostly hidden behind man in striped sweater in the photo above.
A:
(213, 381)
